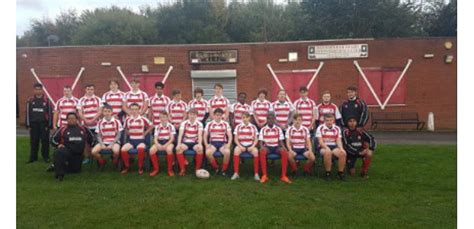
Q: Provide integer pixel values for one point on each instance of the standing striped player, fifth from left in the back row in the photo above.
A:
(158, 103)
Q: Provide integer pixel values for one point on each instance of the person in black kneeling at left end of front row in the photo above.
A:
(70, 141)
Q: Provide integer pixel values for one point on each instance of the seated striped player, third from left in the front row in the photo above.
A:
(164, 137)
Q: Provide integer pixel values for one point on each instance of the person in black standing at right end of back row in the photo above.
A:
(354, 107)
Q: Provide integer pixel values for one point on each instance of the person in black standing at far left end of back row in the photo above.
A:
(39, 120)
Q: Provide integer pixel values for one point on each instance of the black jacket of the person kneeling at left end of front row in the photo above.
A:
(74, 138)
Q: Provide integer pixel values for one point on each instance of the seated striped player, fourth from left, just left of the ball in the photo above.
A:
(190, 137)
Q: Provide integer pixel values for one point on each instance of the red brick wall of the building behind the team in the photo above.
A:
(431, 84)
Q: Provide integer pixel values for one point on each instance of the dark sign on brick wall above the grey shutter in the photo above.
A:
(213, 56)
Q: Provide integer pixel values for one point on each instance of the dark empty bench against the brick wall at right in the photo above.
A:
(396, 118)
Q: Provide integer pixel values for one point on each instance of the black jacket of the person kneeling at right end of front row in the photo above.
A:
(353, 140)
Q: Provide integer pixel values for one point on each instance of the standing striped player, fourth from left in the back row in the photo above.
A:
(135, 96)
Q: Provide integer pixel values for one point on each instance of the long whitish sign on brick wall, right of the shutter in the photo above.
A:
(321, 52)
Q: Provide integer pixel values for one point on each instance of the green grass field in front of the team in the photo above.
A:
(410, 186)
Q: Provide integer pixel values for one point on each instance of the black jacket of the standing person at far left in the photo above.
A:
(39, 109)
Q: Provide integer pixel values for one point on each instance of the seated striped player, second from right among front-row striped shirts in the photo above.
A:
(298, 141)
